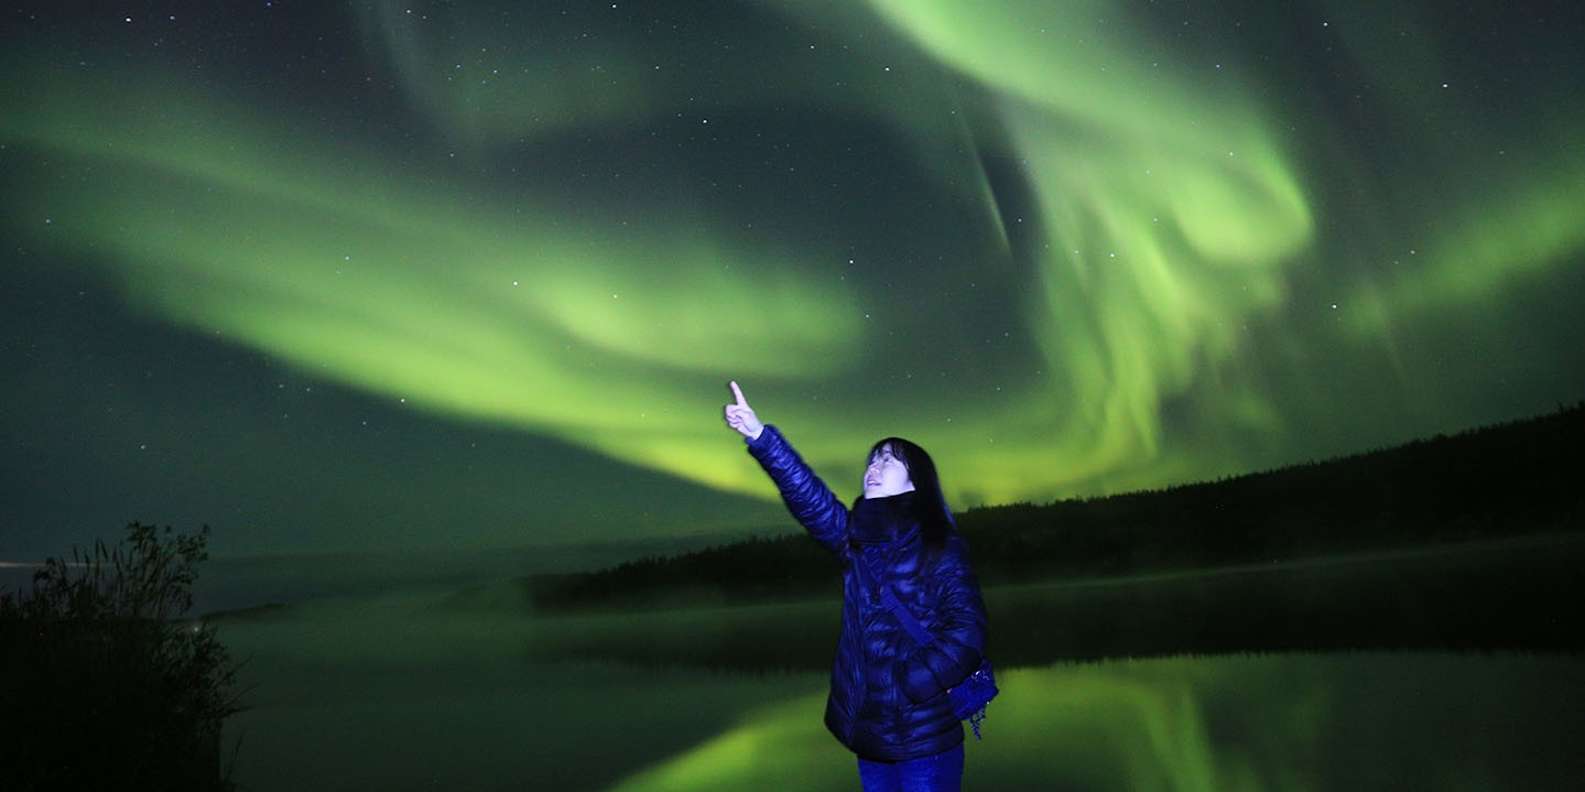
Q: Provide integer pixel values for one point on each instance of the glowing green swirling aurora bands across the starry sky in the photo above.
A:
(1167, 224)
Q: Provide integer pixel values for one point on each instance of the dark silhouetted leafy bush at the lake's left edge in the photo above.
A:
(104, 688)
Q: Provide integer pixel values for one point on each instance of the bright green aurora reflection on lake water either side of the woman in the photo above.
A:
(1255, 723)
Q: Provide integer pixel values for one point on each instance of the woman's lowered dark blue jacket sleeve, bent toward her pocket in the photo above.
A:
(958, 636)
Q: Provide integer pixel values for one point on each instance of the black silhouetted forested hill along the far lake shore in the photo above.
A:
(1497, 482)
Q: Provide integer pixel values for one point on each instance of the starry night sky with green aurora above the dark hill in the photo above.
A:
(419, 275)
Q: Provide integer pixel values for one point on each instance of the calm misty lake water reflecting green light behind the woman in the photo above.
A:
(410, 690)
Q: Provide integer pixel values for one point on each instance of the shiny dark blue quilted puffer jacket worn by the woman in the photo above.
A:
(888, 696)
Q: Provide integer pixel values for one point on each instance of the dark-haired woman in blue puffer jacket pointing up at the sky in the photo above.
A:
(888, 695)
